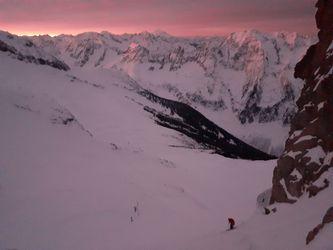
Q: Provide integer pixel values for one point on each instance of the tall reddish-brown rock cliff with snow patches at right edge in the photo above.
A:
(308, 151)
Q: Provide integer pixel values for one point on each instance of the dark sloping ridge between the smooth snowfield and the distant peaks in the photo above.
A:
(183, 118)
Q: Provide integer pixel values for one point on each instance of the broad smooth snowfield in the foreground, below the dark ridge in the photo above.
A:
(83, 166)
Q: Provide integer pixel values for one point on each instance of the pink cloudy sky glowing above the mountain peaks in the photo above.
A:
(181, 17)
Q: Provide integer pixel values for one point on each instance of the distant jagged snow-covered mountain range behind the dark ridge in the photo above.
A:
(243, 82)
